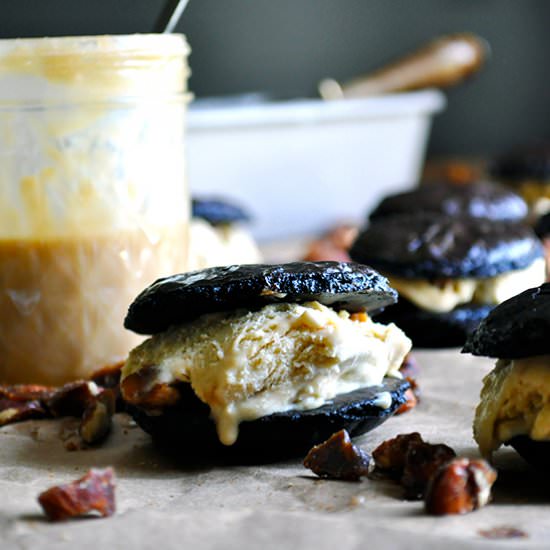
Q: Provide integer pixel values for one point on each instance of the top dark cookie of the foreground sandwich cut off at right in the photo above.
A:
(517, 328)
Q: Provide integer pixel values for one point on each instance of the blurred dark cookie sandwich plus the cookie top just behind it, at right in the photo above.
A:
(453, 252)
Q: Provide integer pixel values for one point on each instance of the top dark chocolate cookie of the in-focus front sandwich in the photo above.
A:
(184, 297)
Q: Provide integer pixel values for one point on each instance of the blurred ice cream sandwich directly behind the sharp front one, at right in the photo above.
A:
(449, 271)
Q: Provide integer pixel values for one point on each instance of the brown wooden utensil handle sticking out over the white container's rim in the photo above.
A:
(443, 62)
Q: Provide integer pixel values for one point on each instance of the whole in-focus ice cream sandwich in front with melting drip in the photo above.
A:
(263, 360)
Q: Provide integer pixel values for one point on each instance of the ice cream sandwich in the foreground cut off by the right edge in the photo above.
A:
(515, 398)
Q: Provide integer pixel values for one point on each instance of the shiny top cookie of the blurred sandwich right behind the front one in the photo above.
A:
(427, 246)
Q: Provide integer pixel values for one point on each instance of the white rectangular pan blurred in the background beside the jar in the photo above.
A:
(301, 166)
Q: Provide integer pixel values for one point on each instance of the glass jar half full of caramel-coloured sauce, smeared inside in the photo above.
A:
(93, 198)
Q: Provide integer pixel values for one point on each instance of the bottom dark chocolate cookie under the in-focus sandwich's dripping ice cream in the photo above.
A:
(187, 431)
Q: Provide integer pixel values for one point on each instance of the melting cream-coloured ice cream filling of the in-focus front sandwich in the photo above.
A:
(246, 365)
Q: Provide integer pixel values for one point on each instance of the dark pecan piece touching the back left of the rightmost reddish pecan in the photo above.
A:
(421, 463)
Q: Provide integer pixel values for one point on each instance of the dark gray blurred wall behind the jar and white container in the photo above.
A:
(285, 46)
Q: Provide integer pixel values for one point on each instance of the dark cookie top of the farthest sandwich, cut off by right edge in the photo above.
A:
(523, 163)
